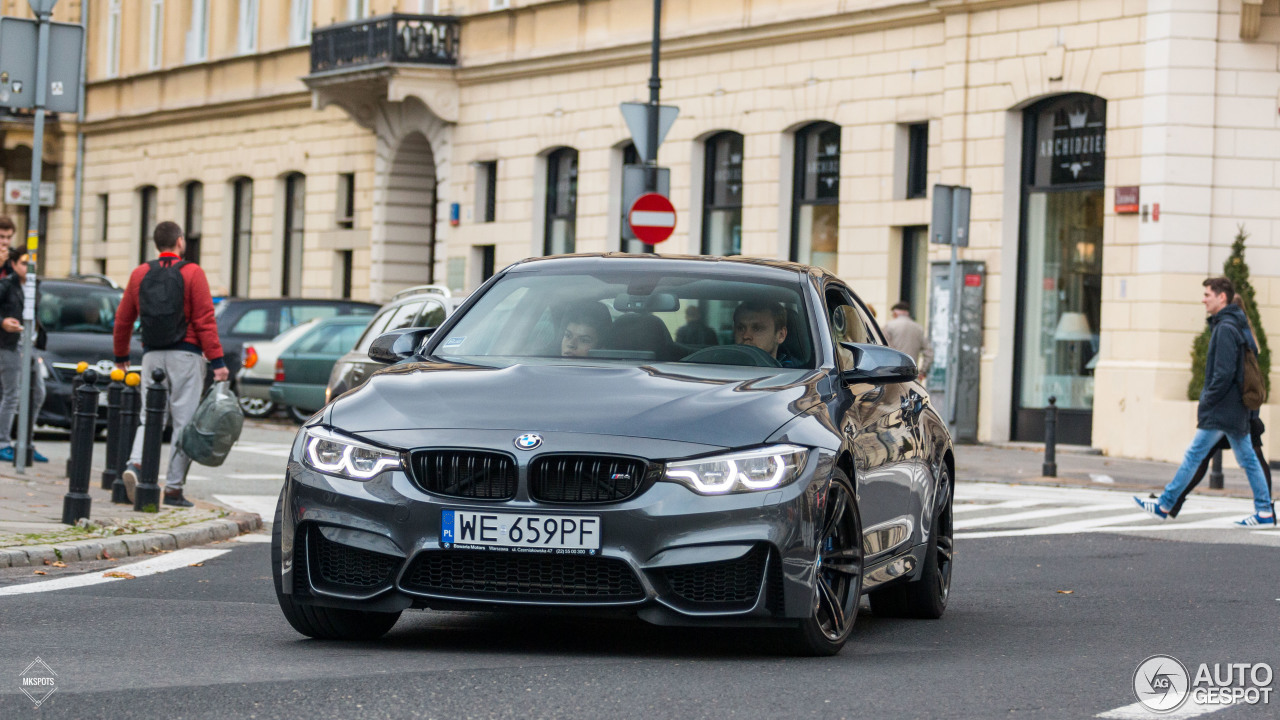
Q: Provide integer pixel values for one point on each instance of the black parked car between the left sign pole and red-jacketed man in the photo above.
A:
(79, 317)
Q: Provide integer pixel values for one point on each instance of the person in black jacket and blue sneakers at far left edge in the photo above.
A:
(12, 303)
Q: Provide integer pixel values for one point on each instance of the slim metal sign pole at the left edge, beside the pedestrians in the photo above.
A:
(43, 10)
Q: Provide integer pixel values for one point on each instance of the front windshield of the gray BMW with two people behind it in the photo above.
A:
(636, 317)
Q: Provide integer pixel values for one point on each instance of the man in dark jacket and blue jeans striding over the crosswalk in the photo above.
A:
(1222, 408)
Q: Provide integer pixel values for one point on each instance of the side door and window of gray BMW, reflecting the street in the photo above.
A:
(879, 425)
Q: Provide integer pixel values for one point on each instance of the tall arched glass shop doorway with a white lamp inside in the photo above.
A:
(1060, 266)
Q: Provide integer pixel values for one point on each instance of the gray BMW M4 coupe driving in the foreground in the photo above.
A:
(693, 441)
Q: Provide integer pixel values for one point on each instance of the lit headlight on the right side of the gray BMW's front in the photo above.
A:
(765, 468)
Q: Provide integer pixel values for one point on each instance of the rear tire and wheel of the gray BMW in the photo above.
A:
(925, 598)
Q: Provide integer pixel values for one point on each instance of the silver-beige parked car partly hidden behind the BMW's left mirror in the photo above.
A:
(423, 307)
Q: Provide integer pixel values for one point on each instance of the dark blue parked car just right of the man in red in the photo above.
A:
(243, 321)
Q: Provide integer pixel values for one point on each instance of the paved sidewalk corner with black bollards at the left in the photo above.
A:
(33, 534)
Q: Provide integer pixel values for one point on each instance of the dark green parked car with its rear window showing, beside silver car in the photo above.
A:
(303, 370)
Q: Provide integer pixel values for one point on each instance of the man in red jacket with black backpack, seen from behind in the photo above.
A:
(179, 334)
